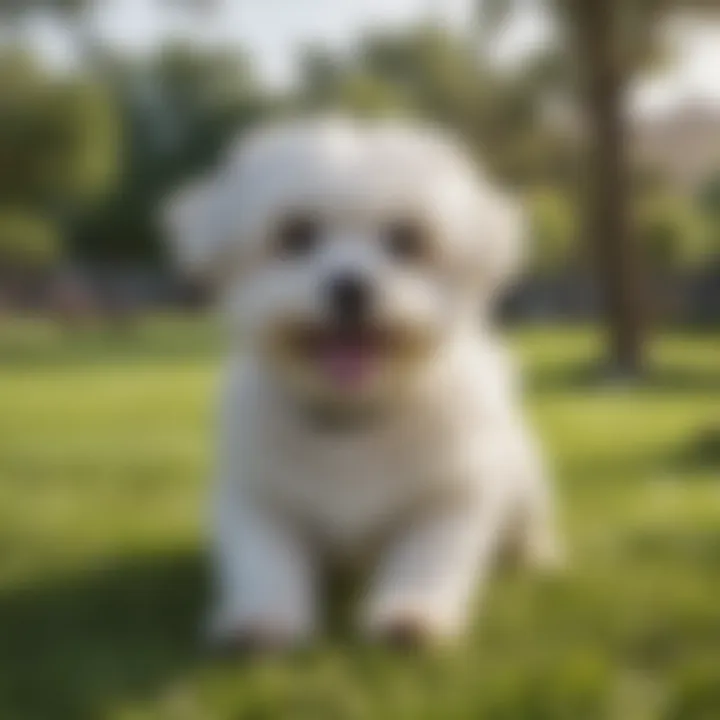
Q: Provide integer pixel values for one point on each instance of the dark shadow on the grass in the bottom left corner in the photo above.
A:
(74, 646)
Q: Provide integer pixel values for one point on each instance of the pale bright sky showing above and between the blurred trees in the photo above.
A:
(272, 30)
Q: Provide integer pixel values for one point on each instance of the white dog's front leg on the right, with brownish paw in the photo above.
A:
(426, 581)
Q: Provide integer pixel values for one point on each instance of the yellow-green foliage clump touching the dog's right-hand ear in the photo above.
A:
(554, 230)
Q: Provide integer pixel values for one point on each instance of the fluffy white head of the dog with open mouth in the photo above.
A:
(347, 253)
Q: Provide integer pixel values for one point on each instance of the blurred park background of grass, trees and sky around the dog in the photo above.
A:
(602, 115)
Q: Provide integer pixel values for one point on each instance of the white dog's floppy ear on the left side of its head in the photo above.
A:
(194, 231)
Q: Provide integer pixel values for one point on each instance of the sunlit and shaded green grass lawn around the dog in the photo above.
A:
(104, 453)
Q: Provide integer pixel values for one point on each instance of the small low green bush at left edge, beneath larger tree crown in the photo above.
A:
(26, 240)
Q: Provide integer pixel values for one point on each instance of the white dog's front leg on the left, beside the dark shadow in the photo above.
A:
(266, 579)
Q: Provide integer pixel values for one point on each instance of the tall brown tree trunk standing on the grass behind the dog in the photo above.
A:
(604, 83)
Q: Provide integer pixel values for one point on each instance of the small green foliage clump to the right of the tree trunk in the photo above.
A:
(674, 231)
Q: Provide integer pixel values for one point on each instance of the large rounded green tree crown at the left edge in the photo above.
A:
(57, 141)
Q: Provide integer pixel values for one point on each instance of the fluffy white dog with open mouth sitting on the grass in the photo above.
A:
(368, 410)
